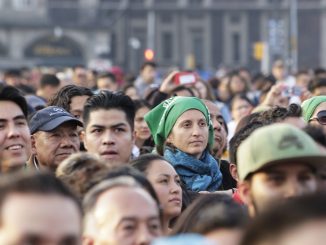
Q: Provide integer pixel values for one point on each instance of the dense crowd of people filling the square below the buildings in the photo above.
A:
(98, 158)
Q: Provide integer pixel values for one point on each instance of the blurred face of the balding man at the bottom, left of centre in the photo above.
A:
(123, 222)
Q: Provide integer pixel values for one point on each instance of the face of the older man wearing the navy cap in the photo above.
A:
(51, 148)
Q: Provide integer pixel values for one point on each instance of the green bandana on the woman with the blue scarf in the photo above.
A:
(162, 118)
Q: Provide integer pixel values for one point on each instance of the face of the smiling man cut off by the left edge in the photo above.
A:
(15, 144)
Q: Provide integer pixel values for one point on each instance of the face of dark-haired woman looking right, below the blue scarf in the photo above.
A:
(166, 184)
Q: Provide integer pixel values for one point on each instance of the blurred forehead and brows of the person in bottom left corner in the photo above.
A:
(40, 219)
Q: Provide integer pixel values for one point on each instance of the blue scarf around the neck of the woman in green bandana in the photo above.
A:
(198, 174)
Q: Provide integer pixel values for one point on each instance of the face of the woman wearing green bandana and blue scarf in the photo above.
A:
(190, 133)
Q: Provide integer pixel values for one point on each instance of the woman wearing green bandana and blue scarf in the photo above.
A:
(183, 133)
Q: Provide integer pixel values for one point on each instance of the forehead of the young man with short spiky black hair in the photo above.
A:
(107, 117)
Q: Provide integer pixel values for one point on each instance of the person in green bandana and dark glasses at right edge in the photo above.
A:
(314, 111)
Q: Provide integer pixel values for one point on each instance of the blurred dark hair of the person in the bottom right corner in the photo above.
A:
(285, 216)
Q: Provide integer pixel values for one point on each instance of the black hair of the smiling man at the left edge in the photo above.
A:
(9, 93)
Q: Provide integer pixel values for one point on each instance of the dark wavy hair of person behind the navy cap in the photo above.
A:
(63, 97)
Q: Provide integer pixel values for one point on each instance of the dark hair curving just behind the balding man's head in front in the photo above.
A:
(138, 176)
